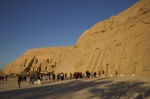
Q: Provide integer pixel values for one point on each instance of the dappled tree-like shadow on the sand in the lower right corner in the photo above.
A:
(125, 90)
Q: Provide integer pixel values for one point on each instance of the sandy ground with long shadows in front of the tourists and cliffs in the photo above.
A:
(127, 87)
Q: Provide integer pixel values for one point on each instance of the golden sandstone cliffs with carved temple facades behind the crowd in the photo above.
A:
(121, 43)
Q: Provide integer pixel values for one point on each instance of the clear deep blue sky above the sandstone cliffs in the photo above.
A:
(27, 24)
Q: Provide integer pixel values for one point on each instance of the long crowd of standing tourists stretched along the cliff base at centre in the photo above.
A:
(59, 77)
